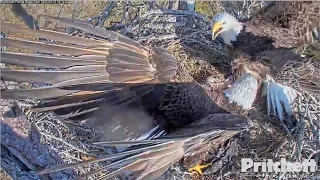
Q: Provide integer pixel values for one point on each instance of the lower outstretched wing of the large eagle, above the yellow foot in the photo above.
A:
(151, 161)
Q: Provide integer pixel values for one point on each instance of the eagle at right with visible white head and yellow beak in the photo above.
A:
(263, 46)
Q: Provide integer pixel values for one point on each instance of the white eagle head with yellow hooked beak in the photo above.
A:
(227, 26)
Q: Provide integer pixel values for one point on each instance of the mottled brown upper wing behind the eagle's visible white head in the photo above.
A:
(288, 24)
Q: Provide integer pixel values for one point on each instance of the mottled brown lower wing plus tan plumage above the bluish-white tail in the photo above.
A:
(284, 66)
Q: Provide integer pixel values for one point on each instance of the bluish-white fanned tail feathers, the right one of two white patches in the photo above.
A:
(279, 98)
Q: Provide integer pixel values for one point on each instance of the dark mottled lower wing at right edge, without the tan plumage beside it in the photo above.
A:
(292, 70)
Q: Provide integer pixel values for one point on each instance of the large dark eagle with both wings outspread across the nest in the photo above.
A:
(166, 113)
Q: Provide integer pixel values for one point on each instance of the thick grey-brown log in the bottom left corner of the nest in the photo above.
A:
(23, 140)
